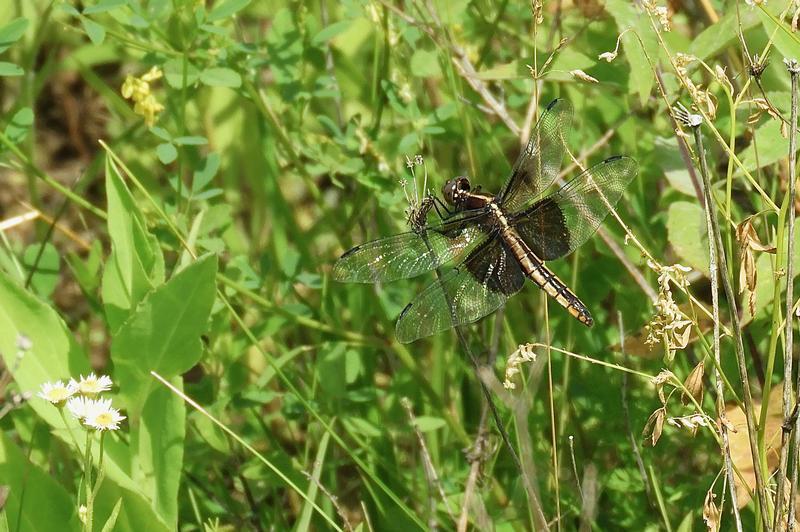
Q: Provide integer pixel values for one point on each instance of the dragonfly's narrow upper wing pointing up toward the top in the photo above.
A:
(539, 163)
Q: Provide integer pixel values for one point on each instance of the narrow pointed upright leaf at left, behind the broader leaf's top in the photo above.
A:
(135, 265)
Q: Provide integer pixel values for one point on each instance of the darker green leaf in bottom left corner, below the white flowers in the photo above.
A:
(31, 489)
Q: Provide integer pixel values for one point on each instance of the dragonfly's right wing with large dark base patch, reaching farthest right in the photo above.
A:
(556, 225)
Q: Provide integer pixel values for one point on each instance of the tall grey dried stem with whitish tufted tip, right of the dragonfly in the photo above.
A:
(715, 237)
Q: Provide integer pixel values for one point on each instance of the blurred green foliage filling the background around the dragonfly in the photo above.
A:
(197, 241)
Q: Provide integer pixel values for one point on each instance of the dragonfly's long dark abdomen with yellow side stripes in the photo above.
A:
(540, 274)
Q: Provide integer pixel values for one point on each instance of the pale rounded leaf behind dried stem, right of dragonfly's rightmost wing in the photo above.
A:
(686, 229)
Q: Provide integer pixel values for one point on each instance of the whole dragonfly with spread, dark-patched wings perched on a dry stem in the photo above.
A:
(497, 240)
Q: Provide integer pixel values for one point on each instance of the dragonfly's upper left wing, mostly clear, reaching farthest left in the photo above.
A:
(410, 254)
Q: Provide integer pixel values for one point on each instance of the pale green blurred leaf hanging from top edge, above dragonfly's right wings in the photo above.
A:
(628, 16)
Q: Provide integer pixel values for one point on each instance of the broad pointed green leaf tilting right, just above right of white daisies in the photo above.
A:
(163, 333)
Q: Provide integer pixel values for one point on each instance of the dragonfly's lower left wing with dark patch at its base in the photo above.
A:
(477, 287)
